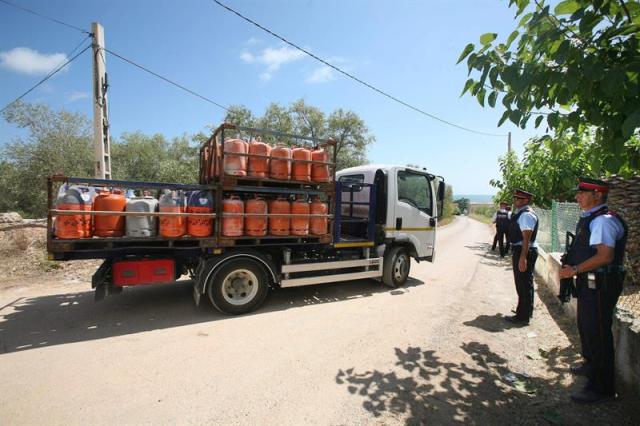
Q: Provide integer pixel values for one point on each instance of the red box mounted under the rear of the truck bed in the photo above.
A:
(143, 271)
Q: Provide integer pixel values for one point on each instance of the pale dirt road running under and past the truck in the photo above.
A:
(436, 351)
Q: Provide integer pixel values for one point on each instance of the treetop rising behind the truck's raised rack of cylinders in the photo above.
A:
(345, 127)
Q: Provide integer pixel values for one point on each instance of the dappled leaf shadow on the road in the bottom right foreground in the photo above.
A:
(420, 387)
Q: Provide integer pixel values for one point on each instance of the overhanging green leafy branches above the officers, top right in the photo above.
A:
(572, 67)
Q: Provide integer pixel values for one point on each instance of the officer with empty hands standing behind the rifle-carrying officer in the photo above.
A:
(523, 229)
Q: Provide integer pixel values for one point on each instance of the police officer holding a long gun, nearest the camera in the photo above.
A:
(598, 248)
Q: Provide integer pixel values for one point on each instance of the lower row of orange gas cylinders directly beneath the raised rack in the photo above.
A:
(258, 217)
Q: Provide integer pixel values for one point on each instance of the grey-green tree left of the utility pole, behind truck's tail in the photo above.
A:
(57, 142)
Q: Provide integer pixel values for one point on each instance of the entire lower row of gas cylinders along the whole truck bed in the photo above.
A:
(254, 216)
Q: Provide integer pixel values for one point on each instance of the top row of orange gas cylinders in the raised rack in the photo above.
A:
(257, 159)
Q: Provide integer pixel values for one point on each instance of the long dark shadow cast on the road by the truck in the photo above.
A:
(30, 323)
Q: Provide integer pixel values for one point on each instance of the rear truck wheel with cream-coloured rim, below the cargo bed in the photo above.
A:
(238, 286)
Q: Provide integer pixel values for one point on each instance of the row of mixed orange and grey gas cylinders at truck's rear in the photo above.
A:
(83, 198)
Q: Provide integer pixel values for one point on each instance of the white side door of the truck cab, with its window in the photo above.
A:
(414, 211)
